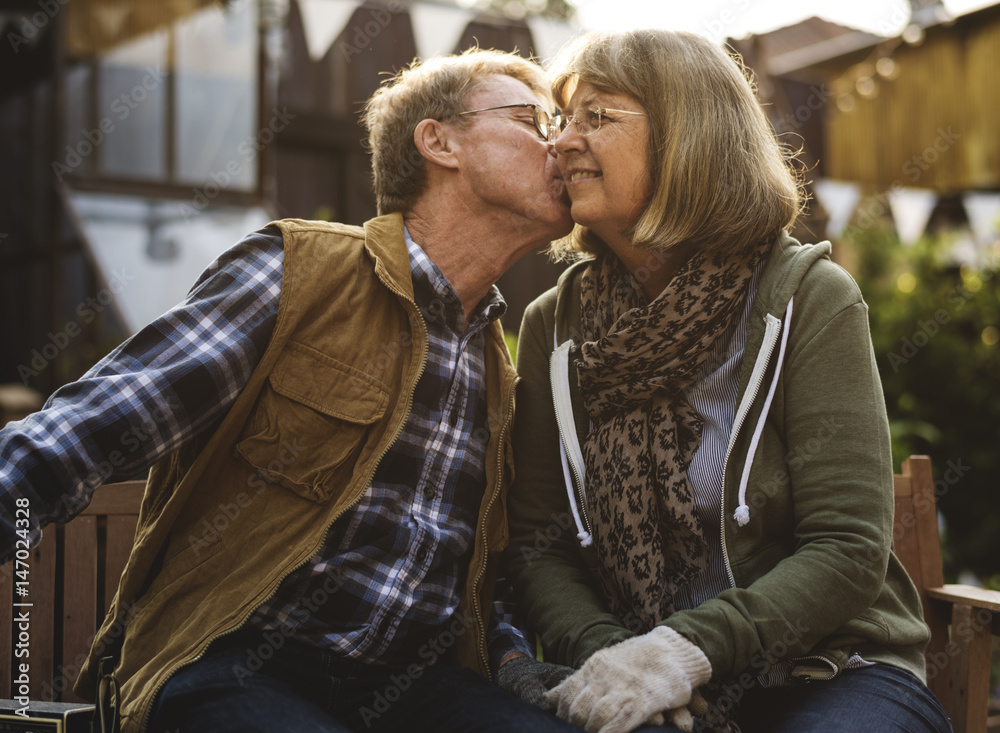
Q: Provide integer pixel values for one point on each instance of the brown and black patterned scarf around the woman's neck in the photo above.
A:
(637, 360)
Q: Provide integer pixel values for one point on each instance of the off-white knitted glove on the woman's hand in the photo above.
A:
(624, 686)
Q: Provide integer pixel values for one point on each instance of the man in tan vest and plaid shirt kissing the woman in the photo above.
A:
(327, 418)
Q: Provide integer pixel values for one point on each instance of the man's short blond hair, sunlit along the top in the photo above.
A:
(434, 89)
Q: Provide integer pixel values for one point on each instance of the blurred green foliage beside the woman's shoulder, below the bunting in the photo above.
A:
(934, 330)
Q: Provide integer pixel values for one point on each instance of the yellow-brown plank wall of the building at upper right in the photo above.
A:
(935, 126)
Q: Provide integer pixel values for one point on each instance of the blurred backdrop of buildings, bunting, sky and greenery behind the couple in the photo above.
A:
(139, 140)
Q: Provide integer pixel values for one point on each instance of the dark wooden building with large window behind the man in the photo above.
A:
(140, 140)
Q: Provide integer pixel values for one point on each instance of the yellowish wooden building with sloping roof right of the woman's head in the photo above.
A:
(906, 115)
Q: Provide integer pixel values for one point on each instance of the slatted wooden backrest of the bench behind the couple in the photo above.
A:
(73, 575)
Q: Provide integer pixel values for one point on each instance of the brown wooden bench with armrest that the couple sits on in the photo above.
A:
(74, 574)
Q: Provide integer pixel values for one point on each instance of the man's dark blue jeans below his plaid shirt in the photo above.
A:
(306, 690)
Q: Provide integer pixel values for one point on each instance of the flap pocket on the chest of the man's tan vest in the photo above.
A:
(310, 422)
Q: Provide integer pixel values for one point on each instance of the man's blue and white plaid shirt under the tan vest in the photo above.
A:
(396, 560)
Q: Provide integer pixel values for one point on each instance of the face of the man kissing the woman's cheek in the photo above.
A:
(511, 172)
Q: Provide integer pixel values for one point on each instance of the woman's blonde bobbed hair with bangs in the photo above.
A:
(720, 179)
